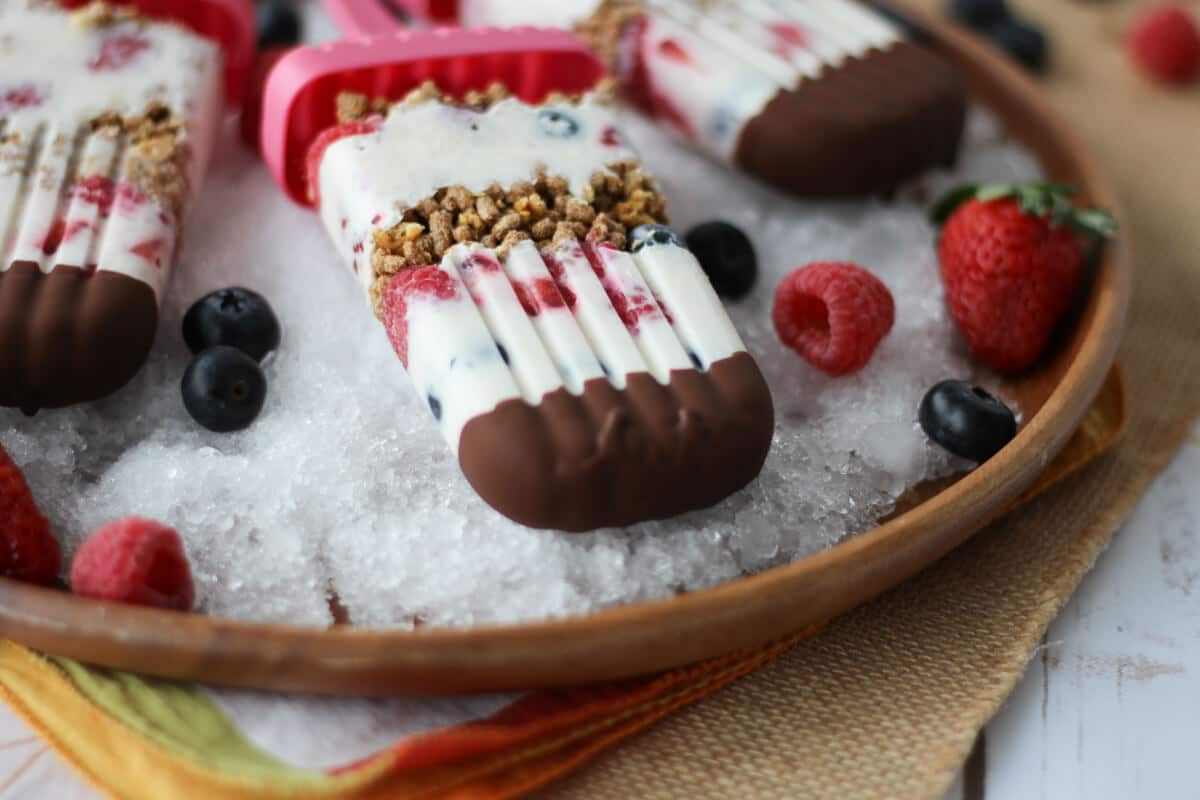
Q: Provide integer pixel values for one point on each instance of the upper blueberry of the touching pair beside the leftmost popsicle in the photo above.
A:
(235, 317)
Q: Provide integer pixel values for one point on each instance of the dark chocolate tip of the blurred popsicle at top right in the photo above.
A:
(863, 128)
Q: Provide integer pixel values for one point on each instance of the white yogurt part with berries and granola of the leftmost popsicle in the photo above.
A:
(75, 188)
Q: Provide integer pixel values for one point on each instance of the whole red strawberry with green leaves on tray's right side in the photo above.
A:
(1012, 262)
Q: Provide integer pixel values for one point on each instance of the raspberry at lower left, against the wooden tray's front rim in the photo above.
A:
(137, 562)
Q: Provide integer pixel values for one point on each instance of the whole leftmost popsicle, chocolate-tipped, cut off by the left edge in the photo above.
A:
(107, 121)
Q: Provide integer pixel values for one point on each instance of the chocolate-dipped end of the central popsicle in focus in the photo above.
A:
(611, 459)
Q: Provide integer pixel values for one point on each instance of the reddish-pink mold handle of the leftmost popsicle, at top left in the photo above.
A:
(229, 22)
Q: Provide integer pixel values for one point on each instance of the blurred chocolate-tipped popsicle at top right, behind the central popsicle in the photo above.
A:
(819, 98)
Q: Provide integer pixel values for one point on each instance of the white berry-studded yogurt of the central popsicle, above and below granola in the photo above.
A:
(489, 326)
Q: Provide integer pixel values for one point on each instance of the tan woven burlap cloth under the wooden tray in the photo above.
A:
(890, 700)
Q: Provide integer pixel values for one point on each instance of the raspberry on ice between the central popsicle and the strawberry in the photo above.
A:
(833, 315)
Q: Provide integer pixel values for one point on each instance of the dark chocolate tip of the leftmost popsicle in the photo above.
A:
(71, 336)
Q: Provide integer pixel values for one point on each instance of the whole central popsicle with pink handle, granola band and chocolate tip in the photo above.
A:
(571, 350)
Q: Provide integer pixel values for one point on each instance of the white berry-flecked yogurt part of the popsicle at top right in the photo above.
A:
(711, 67)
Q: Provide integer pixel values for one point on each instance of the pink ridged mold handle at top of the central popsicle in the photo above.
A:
(302, 92)
